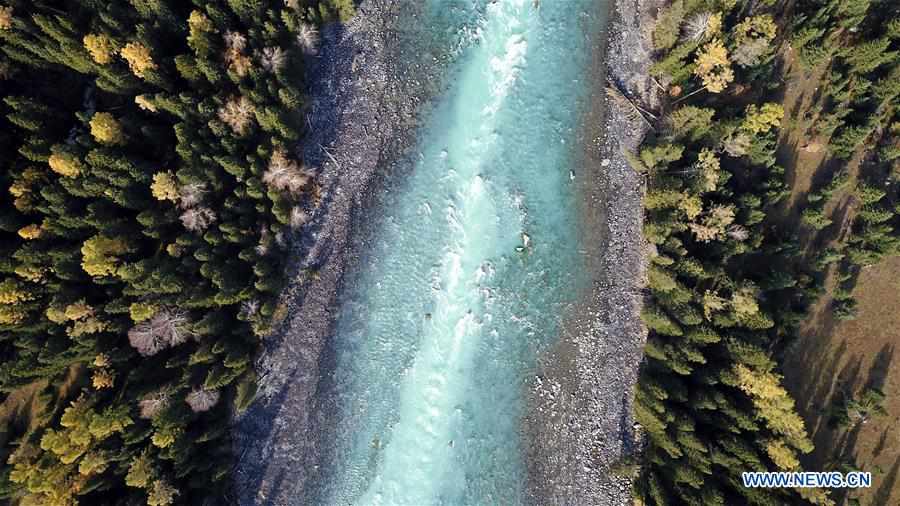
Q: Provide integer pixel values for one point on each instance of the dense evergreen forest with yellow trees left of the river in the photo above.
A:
(150, 182)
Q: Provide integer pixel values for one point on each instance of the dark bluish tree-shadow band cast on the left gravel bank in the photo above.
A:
(267, 438)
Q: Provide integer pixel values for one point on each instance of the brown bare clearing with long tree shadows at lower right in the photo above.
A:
(832, 357)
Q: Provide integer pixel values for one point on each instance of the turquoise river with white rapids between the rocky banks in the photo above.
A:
(475, 262)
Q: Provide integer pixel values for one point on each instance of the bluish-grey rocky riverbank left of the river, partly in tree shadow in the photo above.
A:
(360, 119)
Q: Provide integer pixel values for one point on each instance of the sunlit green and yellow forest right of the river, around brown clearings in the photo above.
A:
(729, 283)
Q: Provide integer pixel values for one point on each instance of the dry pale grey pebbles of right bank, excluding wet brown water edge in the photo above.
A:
(596, 426)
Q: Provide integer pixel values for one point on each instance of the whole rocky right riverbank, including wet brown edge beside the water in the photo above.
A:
(580, 416)
